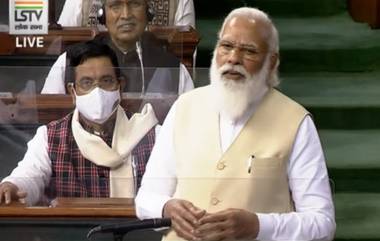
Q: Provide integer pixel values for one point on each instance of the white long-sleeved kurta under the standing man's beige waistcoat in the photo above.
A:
(314, 217)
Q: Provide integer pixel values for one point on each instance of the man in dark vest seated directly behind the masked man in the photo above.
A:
(148, 66)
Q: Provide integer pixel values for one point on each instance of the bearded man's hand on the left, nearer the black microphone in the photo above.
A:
(184, 216)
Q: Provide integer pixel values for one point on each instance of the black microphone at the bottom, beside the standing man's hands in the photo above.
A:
(130, 226)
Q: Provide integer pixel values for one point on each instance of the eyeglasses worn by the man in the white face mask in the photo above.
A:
(107, 83)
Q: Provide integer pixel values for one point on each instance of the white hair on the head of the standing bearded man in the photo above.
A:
(271, 35)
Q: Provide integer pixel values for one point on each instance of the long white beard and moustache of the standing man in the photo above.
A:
(234, 98)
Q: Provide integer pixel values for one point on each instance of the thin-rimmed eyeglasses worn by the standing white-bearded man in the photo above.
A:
(249, 52)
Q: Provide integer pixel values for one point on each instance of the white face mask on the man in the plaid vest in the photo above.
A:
(98, 105)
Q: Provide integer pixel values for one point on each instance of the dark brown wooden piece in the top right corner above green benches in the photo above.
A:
(367, 11)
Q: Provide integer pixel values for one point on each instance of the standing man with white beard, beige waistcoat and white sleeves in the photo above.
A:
(238, 160)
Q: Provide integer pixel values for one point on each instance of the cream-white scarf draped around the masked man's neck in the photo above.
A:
(127, 134)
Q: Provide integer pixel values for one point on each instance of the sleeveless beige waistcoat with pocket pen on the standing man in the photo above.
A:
(215, 181)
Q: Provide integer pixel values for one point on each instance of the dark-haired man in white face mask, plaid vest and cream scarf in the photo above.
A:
(96, 150)
